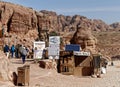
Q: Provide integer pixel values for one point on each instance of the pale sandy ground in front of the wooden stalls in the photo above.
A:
(50, 78)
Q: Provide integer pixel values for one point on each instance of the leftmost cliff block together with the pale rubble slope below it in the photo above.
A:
(19, 24)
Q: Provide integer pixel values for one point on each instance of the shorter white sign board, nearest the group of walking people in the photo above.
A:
(38, 49)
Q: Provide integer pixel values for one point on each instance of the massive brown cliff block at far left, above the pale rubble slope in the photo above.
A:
(18, 19)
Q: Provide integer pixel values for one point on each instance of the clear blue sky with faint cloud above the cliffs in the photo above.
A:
(106, 10)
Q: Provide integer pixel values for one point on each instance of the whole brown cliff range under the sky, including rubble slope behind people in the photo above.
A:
(24, 25)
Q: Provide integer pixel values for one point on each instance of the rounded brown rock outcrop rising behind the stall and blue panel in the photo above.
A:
(85, 39)
